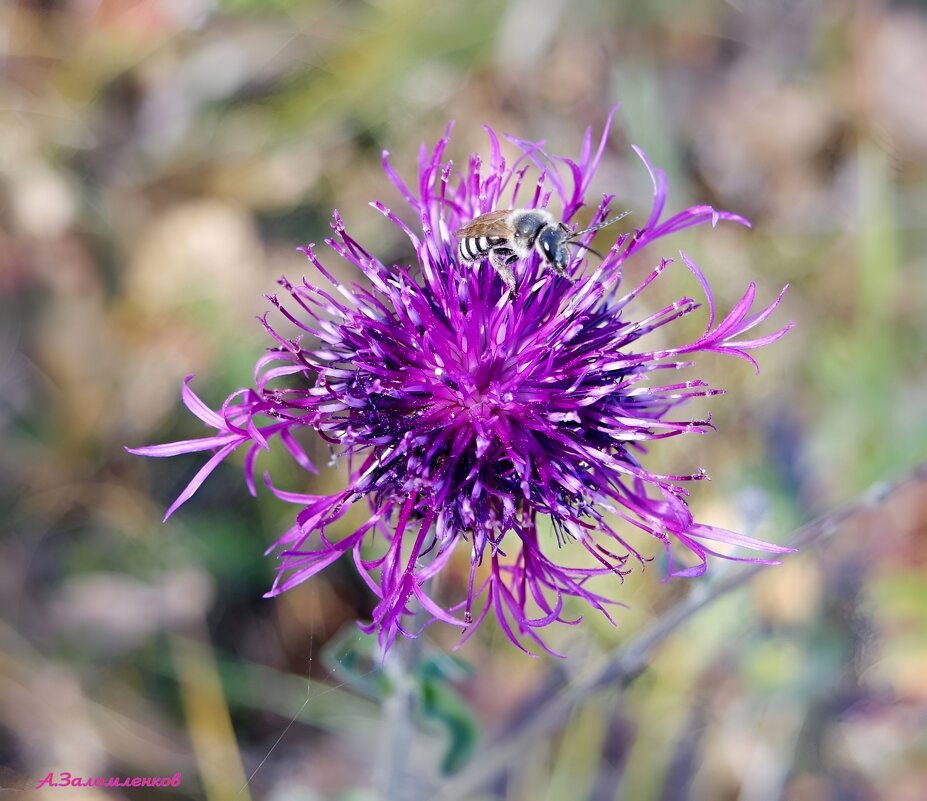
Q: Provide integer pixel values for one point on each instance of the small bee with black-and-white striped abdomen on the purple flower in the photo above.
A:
(508, 235)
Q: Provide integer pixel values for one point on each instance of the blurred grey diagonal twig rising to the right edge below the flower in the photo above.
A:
(627, 662)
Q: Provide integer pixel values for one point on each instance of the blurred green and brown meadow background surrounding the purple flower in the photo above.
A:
(159, 162)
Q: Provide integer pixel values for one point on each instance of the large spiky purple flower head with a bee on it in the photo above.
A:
(467, 416)
